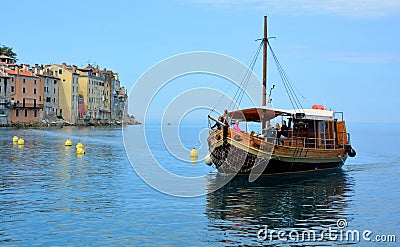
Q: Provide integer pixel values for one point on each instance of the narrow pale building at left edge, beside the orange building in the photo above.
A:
(5, 117)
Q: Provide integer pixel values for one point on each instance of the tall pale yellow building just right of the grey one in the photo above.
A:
(68, 90)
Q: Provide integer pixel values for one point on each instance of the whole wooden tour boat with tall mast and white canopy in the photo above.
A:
(316, 138)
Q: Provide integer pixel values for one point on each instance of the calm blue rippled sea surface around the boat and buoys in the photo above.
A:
(50, 196)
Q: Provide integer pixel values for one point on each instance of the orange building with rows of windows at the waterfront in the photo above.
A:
(26, 96)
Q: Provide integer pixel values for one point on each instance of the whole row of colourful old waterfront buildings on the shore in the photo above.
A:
(58, 91)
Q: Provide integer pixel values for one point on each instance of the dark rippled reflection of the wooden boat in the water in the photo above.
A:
(240, 209)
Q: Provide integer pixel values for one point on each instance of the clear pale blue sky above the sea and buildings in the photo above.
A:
(343, 54)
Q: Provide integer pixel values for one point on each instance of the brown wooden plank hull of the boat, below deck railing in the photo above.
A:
(232, 156)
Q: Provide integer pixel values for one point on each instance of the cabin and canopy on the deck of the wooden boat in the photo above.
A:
(307, 128)
